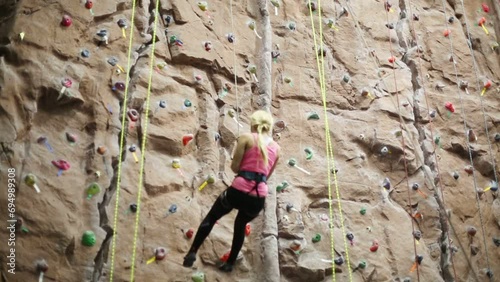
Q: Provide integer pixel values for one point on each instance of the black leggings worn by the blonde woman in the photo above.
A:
(248, 208)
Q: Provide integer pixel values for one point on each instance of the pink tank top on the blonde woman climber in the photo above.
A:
(253, 161)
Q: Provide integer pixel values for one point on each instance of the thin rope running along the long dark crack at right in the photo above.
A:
(432, 138)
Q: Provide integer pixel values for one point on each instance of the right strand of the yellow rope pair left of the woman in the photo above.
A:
(143, 146)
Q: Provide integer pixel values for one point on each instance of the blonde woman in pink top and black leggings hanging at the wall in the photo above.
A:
(254, 161)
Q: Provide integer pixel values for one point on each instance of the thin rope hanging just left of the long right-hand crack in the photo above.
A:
(403, 143)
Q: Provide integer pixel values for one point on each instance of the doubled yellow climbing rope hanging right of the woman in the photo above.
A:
(328, 144)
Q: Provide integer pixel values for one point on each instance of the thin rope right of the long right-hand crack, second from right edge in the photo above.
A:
(462, 110)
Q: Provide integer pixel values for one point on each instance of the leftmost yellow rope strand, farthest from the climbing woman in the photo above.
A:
(122, 135)
